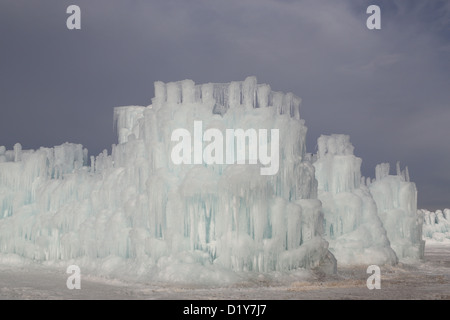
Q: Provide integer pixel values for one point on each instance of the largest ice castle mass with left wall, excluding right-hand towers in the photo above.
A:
(137, 211)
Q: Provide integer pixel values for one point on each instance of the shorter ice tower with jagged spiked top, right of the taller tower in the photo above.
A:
(396, 199)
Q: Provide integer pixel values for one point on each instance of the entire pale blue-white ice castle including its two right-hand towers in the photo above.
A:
(138, 212)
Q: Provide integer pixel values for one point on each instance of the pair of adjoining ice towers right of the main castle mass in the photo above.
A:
(366, 220)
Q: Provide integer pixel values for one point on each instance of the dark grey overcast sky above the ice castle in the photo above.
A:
(388, 89)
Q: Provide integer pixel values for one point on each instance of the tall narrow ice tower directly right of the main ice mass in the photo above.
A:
(352, 226)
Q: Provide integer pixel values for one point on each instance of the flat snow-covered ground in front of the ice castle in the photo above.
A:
(429, 279)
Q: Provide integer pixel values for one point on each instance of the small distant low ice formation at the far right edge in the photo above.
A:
(436, 225)
